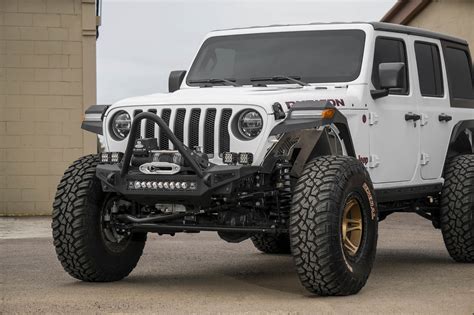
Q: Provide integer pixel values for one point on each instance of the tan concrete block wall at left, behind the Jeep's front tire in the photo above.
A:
(47, 79)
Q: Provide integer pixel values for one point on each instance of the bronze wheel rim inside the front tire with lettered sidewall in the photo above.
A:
(351, 227)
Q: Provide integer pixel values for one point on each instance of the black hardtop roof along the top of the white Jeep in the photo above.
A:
(380, 26)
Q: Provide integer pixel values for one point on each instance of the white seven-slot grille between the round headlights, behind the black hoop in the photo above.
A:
(193, 126)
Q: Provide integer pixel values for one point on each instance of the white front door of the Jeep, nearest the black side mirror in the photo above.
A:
(394, 128)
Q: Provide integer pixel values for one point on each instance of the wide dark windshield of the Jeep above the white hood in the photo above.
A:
(312, 56)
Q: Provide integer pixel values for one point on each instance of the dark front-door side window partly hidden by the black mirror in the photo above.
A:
(389, 50)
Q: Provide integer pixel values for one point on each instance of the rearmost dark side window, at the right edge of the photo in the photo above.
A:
(459, 73)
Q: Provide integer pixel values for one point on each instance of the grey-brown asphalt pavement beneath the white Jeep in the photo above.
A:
(201, 274)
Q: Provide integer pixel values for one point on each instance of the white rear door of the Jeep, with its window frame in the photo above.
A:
(430, 89)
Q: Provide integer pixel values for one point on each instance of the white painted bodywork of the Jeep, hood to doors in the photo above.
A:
(391, 147)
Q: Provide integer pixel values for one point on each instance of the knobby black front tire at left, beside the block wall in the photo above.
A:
(77, 234)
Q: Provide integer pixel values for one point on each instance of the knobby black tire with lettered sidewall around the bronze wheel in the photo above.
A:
(320, 195)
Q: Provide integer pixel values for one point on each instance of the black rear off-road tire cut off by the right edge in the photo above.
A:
(457, 208)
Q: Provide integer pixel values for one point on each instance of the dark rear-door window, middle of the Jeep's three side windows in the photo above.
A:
(428, 63)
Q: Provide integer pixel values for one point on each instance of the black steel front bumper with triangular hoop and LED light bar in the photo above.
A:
(204, 181)
